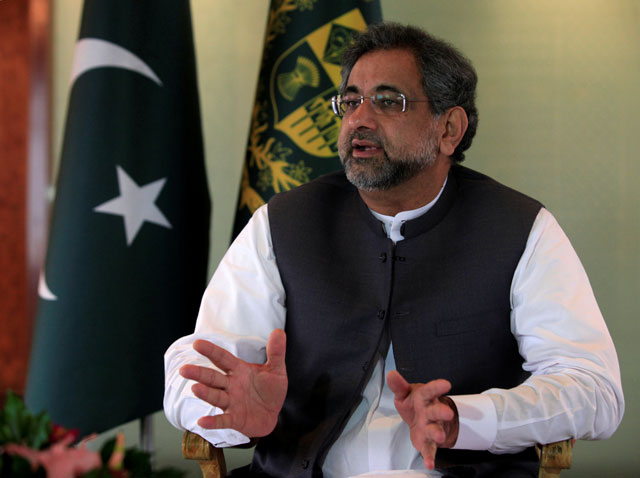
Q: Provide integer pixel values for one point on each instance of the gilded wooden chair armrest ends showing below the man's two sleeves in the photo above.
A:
(554, 457)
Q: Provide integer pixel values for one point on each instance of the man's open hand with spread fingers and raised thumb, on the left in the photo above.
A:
(250, 395)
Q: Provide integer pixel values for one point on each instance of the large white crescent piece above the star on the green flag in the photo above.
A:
(93, 53)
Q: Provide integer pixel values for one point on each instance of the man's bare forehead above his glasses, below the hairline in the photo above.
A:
(383, 69)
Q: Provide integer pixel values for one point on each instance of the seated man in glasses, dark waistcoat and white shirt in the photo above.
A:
(465, 294)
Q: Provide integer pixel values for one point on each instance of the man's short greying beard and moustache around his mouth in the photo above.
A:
(397, 164)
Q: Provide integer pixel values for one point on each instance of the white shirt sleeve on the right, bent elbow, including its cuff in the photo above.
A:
(574, 390)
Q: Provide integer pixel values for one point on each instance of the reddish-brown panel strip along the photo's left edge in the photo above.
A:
(14, 127)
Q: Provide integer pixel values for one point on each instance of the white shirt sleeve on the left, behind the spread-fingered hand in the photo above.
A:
(245, 295)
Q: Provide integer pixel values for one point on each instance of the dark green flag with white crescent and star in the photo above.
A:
(127, 258)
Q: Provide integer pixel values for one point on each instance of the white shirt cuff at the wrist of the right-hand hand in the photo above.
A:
(478, 422)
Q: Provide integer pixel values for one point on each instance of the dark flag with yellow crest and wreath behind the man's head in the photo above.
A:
(293, 134)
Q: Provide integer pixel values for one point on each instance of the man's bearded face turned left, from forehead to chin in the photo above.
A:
(377, 151)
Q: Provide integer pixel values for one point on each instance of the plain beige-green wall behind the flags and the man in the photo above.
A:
(558, 96)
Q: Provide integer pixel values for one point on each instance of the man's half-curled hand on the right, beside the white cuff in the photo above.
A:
(432, 418)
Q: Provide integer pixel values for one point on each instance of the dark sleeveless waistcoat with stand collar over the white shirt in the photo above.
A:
(442, 294)
